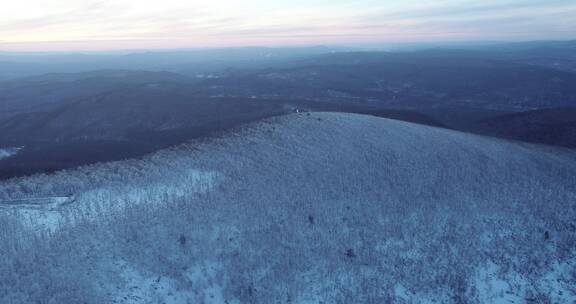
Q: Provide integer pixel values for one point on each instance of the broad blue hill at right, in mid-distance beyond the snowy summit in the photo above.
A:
(409, 80)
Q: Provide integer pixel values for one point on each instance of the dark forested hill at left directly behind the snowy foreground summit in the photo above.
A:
(66, 120)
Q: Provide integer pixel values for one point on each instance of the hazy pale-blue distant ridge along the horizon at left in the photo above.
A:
(191, 62)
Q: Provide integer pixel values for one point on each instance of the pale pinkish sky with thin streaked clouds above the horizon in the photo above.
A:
(65, 25)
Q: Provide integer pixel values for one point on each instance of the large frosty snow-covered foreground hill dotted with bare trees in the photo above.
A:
(307, 208)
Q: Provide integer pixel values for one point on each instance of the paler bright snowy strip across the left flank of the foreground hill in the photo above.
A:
(52, 213)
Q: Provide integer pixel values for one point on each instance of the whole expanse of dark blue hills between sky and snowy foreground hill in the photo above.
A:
(140, 105)
